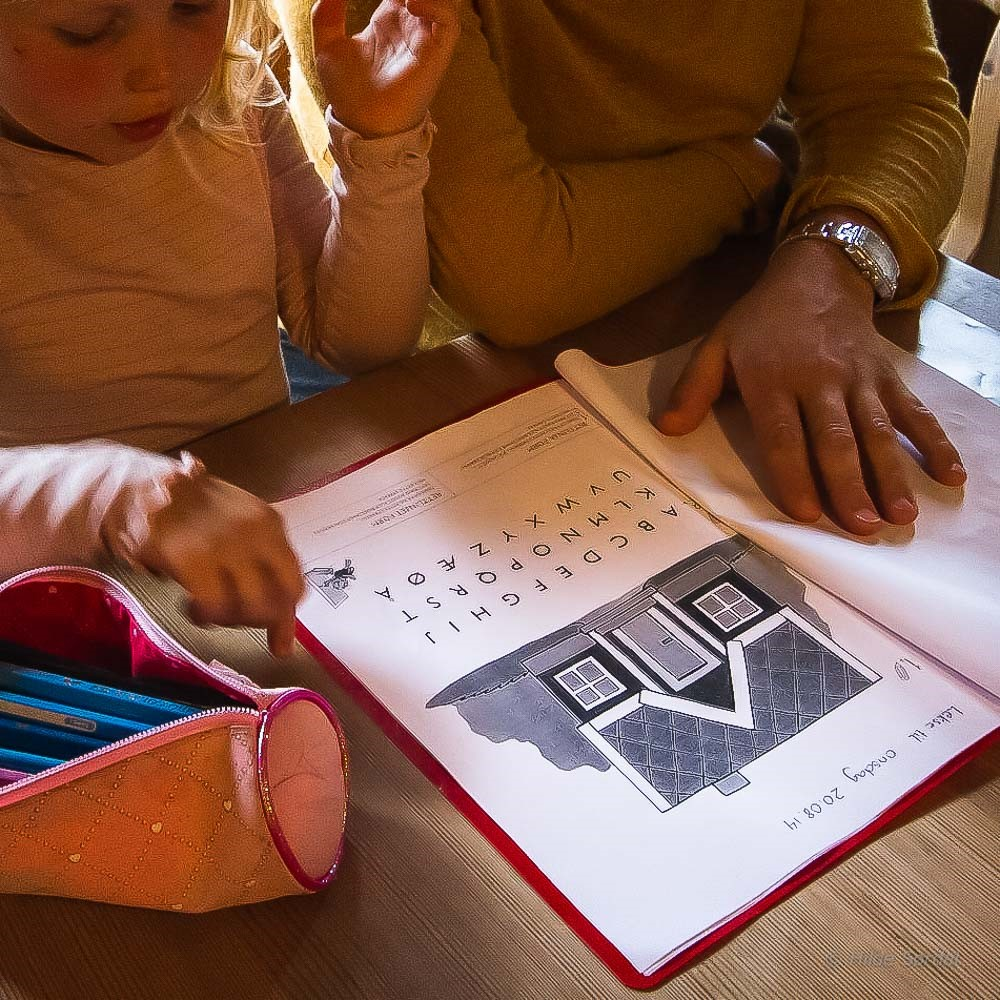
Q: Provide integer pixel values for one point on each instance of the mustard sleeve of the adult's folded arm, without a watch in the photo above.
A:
(609, 230)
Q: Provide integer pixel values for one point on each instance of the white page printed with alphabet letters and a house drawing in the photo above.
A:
(535, 606)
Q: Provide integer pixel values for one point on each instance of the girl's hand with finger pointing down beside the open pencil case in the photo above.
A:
(228, 549)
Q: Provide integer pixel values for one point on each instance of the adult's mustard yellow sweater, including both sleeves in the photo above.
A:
(587, 150)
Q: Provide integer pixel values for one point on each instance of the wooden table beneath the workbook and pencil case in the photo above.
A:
(423, 908)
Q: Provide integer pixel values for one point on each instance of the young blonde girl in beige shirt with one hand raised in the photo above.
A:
(158, 215)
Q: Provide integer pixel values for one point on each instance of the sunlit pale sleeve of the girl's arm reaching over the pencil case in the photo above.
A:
(80, 502)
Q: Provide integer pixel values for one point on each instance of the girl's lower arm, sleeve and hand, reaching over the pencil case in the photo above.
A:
(77, 503)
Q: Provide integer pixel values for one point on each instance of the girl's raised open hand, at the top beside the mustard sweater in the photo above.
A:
(381, 81)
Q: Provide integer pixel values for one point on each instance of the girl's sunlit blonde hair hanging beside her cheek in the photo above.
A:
(240, 80)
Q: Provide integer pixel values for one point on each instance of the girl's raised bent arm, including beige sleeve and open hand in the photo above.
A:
(352, 263)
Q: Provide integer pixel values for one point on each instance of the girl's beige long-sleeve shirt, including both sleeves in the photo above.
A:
(139, 306)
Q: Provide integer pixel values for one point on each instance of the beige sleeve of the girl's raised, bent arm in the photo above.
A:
(352, 270)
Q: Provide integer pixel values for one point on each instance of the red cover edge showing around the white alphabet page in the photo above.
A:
(443, 780)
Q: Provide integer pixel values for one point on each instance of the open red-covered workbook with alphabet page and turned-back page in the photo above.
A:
(665, 704)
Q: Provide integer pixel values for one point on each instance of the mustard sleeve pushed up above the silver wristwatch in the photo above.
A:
(879, 126)
